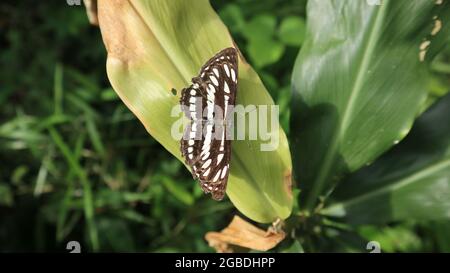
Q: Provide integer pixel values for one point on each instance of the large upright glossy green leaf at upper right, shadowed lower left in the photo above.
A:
(358, 84)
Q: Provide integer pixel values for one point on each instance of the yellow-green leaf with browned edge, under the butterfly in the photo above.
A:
(154, 46)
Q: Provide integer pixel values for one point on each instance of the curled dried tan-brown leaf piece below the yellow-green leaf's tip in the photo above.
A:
(240, 233)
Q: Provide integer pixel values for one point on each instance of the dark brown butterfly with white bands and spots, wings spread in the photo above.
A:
(207, 103)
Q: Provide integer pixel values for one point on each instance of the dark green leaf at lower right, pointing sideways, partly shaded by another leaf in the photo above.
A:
(412, 181)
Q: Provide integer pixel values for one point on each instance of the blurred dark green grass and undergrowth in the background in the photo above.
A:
(76, 164)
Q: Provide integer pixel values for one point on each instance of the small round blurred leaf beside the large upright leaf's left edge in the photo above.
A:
(292, 31)
